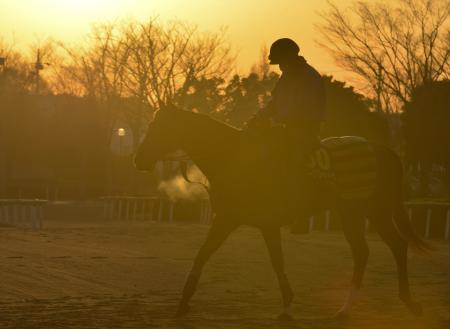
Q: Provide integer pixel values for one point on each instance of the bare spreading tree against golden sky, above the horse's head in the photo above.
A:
(165, 57)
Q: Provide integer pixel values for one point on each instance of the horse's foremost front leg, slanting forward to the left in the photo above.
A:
(218, 232)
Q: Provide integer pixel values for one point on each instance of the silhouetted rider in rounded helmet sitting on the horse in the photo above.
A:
(298, 102)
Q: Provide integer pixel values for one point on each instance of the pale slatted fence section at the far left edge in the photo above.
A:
(22, 213)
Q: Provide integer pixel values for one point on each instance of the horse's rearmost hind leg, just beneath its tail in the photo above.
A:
(399, 247)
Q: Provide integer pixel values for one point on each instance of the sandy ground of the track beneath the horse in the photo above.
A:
(96, 274)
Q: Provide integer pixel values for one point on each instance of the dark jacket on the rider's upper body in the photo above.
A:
(298, 99)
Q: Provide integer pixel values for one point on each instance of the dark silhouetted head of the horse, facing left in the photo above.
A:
(162, 139)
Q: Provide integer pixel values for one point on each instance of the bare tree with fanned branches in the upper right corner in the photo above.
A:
(394, 46)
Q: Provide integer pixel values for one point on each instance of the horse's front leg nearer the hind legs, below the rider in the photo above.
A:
(273, 241)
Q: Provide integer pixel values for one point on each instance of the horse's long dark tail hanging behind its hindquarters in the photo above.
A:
(400, 216)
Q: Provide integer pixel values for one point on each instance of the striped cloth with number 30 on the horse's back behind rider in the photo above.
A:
(346, 163)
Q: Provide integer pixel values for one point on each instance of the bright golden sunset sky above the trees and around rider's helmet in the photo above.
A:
(251, 23)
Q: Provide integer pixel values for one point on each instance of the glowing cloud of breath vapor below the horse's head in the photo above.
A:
(177, 188)
